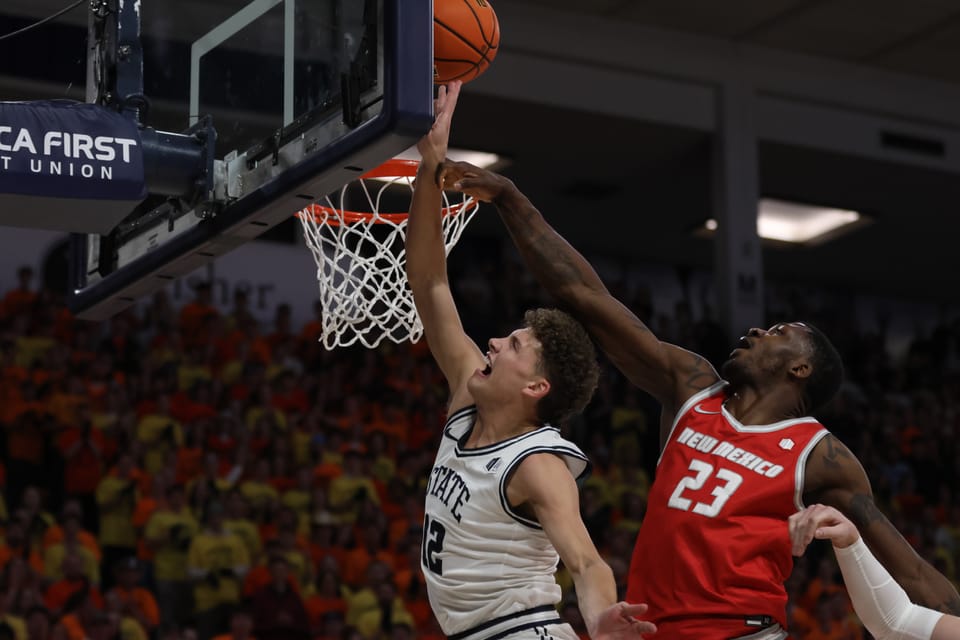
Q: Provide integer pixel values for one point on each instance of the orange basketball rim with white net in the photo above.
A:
(361, 260)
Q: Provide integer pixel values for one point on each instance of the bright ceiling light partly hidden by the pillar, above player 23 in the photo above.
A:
(797, 223)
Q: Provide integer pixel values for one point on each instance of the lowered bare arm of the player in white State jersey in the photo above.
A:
(544, 484)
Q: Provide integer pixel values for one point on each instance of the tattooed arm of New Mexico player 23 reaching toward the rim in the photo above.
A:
(667, 372)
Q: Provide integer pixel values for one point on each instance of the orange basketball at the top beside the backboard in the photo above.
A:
(466, 35)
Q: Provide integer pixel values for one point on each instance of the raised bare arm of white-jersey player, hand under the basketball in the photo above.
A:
(456, 354)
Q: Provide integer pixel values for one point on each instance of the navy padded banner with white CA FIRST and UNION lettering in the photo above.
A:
(66, 149)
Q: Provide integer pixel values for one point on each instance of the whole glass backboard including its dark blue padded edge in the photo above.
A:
(294, 98)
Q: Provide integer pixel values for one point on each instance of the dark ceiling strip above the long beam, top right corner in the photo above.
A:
(920, 37)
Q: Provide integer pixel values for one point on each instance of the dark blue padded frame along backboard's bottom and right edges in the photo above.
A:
(302, 167)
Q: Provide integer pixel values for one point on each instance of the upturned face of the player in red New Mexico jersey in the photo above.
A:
(766, 352)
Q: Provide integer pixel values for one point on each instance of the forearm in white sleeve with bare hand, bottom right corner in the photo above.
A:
(879, 601)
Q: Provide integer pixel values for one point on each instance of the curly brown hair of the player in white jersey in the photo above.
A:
(567, 359)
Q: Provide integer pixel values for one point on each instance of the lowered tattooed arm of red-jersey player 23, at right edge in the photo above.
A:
(836, 478)
